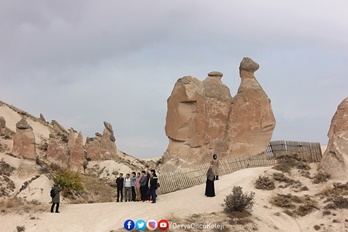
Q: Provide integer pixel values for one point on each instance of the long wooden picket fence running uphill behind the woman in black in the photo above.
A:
(189, 177)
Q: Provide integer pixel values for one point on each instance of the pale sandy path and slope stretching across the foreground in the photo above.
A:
(111, 216)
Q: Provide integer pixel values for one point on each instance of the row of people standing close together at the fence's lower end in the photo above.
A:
(137, 186)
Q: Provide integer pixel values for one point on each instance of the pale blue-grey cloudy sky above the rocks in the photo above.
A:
(84, 62)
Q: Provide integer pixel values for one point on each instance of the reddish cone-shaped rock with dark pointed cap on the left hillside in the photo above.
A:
(24, 141)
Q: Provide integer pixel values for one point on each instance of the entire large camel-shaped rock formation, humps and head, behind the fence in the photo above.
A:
(203, 118)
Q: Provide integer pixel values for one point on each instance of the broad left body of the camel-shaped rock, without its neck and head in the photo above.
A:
(197, 117)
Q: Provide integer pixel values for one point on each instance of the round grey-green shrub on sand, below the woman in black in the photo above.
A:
(239, 201)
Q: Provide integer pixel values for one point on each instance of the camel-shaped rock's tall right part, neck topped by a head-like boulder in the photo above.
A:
(251, 121)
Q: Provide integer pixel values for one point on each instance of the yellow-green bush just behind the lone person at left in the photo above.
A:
(68, 180)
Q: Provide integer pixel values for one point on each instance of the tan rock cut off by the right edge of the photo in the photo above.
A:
(335, 158)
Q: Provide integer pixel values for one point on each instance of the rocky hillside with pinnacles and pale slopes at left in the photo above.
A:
(32, 148)
